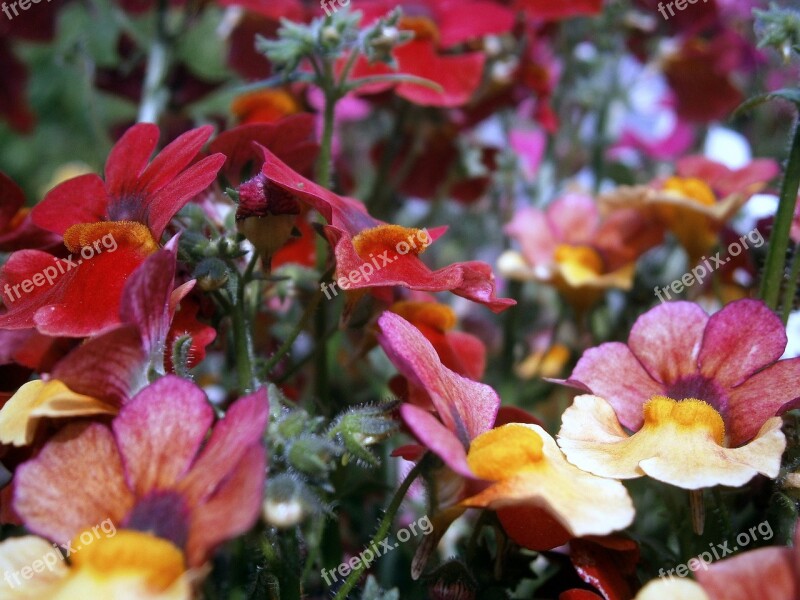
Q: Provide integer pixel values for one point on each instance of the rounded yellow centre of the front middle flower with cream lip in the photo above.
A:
(505, 451)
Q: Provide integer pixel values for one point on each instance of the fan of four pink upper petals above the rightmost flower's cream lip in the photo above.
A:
(729, 360)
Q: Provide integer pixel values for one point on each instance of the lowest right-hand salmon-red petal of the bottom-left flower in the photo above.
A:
(232, 509)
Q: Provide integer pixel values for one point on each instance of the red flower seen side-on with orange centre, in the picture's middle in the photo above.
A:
(362, 242)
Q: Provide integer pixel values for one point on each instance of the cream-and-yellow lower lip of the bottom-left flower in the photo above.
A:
(126, 566)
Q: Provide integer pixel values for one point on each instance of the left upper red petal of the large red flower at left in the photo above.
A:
(60, 210)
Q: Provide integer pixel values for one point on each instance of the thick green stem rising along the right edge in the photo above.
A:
(779, 240)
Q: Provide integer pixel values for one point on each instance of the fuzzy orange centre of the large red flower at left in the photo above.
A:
(107, 235)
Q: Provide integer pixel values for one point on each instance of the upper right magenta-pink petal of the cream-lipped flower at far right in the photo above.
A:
(742, 338)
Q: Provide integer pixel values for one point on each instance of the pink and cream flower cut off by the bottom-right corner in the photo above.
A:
(772, 572)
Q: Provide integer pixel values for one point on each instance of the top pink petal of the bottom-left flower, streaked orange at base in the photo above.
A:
(160, 431)
